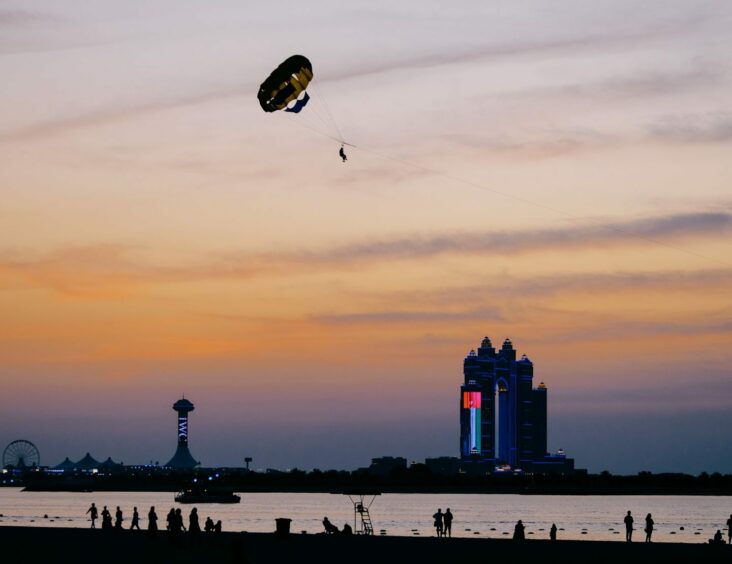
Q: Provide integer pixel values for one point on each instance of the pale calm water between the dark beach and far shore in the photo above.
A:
(401, 514)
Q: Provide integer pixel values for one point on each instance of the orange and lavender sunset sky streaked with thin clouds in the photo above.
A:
(556, 172)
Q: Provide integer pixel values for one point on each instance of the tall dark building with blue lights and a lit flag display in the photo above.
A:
(503, 418)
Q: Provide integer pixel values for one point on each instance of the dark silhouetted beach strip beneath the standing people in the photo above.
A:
(36, 544)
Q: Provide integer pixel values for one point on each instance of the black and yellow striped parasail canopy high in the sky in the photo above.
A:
(286, 85)
